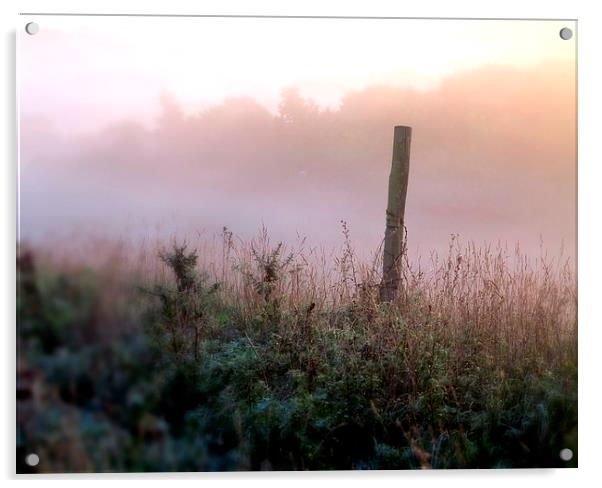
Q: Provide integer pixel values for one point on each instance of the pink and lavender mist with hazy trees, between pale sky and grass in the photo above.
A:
(493, 159)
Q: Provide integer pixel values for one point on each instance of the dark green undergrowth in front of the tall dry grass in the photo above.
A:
(199, 385)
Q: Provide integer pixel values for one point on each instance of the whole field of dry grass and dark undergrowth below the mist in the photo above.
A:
(254, 355)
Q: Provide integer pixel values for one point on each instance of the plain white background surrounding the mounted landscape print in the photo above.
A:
(589, 246)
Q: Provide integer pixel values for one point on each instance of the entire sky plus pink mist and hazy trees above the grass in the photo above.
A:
(187, 122)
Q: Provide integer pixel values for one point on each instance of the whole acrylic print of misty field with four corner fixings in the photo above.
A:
(295, 244)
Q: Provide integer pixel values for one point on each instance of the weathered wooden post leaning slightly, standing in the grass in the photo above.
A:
(396, 203)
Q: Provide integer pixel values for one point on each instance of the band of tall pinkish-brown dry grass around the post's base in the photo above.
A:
(519, 305)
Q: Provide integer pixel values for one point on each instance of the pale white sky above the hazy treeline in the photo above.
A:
(110, 68)
